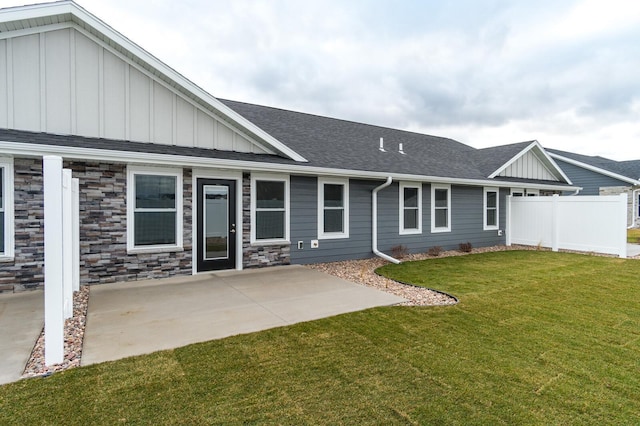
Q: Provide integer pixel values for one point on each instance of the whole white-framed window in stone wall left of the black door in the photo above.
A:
(154, 209)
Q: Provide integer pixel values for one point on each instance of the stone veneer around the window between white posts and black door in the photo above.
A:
(103, 229)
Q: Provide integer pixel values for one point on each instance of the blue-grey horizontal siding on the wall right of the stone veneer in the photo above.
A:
(466, 216)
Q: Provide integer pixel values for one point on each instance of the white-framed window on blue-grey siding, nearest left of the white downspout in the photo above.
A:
(333, 208)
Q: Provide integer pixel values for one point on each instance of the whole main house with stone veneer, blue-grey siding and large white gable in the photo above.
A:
(174, 181)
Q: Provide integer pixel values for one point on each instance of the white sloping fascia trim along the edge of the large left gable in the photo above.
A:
(80, 14)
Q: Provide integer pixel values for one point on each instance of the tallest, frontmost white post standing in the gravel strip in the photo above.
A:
(53, 270)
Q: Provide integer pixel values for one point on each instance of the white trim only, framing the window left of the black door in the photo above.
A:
(132, 171)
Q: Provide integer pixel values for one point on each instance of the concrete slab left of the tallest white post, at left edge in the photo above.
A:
(21, 322)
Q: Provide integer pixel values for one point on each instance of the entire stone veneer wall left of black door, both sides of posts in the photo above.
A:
(103, 229)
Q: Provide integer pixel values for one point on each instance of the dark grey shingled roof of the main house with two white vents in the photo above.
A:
(326, 143)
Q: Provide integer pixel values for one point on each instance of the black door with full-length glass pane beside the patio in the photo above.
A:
(216, 242)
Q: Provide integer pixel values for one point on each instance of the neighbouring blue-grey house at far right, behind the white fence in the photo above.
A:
(602, 176)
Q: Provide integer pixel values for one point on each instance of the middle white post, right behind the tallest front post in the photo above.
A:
(67, 242)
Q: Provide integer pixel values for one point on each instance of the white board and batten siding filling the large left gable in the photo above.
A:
(65, 81)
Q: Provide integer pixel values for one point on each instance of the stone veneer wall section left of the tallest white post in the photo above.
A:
(25, 272)
